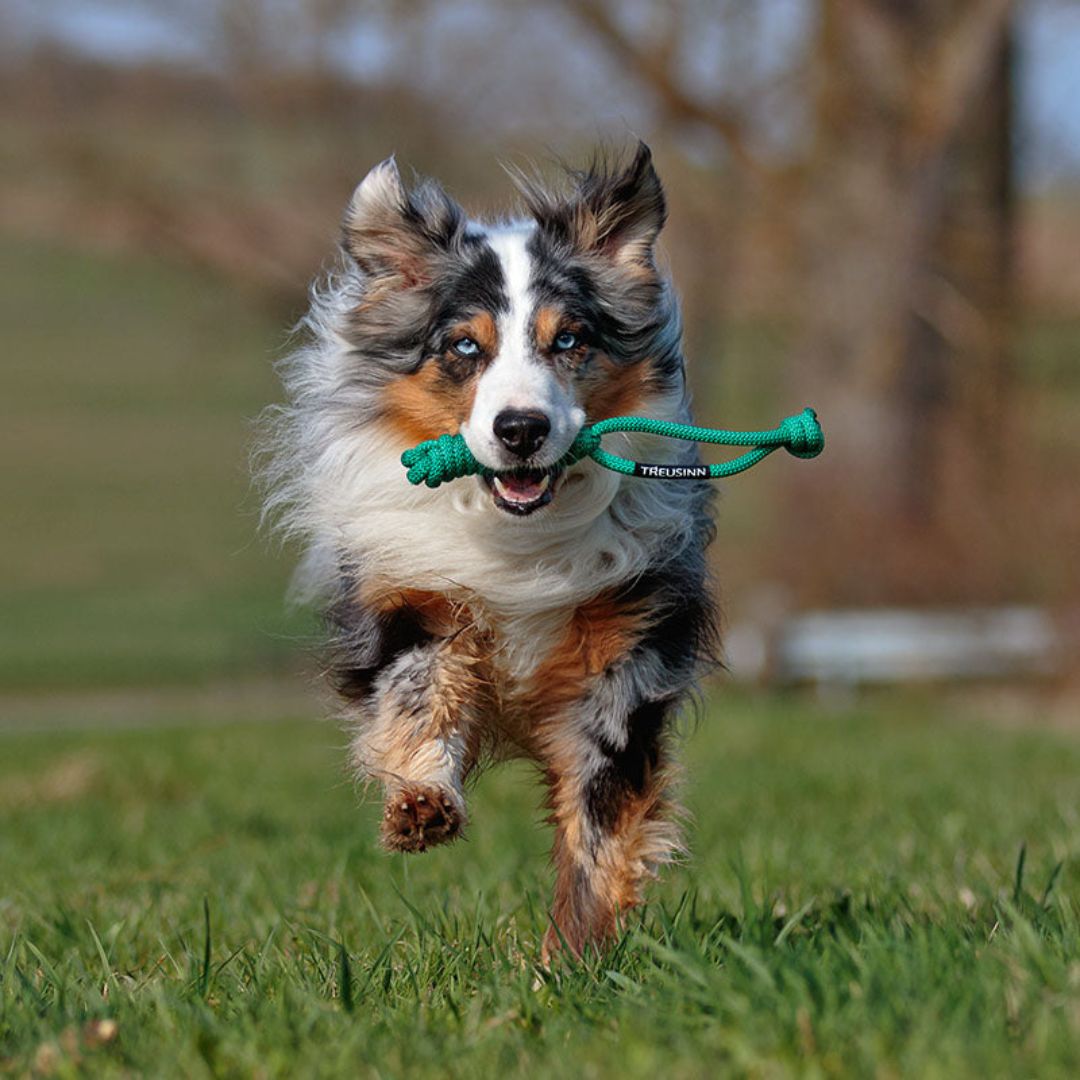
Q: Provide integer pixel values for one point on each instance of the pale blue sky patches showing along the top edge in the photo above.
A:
(1049, 73)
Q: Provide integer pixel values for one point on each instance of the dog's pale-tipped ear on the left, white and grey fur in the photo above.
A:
(396, 235)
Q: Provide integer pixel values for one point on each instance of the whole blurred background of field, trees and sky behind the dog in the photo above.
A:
(875, 209)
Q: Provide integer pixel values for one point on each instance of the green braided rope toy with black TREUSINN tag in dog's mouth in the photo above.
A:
(447, 458)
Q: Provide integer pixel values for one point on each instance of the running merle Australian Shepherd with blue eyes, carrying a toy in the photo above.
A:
(562, 615)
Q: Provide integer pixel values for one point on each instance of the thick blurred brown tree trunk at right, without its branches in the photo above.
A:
(906, 225)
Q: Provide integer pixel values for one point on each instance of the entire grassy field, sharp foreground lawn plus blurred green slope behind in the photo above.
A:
(188, 883)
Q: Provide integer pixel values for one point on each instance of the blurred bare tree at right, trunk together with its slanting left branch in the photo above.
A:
(902, 201)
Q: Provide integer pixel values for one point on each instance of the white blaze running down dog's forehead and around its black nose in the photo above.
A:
(518, 379)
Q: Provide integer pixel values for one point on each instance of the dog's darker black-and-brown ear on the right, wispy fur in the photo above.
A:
(617, 211)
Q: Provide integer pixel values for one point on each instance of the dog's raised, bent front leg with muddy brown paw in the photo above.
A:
(418, 737)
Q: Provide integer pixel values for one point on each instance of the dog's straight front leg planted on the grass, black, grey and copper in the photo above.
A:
(606, 696)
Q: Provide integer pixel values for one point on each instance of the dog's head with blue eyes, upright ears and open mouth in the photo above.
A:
(514, 334)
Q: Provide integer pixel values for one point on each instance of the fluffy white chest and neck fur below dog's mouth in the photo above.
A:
(600, 532)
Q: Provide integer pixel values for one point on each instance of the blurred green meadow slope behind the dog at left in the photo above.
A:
(128, 391)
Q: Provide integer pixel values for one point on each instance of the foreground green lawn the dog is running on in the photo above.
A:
(853, 908)
